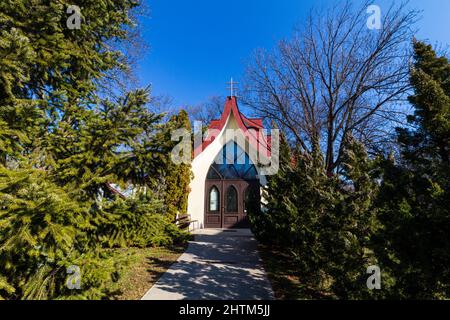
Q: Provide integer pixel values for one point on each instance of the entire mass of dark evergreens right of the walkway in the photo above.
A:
(375, 211)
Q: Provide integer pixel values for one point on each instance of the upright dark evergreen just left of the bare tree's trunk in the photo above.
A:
(312, 197)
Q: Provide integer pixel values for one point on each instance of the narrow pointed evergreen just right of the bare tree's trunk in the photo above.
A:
(353, 222)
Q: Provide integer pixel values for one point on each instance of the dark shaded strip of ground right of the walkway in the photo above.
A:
(282, 273)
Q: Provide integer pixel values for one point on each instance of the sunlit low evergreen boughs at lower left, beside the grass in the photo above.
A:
(43, 230)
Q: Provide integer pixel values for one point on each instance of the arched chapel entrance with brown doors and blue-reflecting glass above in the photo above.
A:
(226, 190)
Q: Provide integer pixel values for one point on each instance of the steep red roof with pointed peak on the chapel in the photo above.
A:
(251, 128)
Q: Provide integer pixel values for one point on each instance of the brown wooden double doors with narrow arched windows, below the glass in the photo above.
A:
(227, 201)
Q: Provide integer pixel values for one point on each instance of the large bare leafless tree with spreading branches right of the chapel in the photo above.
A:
(335, 77)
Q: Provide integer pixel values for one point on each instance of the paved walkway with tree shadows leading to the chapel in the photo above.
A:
(217, 265)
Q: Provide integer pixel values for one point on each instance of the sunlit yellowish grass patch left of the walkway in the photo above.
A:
(143, 268)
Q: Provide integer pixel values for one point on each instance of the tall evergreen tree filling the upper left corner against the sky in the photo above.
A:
(48, 71)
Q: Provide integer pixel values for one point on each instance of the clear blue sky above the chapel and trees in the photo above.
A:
(197, 45)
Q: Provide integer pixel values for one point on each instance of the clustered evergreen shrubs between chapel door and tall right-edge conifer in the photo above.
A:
(324, 222)
